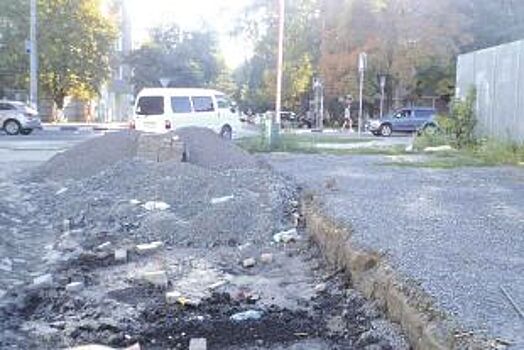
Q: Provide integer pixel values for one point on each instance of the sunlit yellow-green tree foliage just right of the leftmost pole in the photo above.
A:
(76, 40)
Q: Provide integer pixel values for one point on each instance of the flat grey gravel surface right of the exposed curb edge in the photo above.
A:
(458, 232)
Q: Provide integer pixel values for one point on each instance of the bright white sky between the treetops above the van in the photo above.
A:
(193, 14)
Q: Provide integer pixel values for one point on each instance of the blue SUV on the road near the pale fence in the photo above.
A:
(413, 119)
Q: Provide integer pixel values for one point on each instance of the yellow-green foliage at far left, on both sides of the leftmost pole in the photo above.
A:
(74, 40)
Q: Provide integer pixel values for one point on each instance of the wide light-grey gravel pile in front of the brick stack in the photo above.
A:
(113, 201)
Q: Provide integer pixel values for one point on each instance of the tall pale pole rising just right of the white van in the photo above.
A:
(278, 103)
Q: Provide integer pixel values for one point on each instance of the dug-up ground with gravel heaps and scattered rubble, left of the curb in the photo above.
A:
(201, 257)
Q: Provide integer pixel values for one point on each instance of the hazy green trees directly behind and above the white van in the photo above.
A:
(187, 59)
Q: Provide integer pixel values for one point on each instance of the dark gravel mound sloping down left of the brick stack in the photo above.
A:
(90, 157)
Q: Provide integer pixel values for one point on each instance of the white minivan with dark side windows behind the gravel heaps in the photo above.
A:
(165, 109)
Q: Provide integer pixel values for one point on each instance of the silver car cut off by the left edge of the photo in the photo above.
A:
(18, 118)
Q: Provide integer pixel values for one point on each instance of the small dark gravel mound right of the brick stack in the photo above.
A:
(207, 149)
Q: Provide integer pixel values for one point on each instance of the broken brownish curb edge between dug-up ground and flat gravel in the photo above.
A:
(403, 302)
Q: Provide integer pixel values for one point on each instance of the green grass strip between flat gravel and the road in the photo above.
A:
(307, 144)
